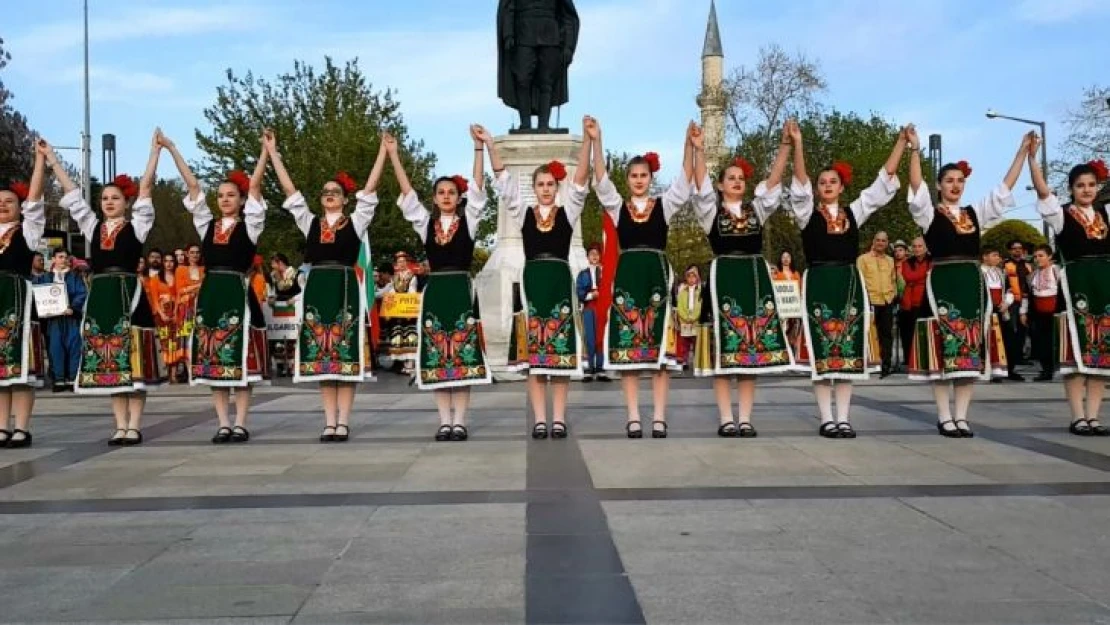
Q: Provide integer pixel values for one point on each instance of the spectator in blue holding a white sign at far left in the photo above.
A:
(64, 332)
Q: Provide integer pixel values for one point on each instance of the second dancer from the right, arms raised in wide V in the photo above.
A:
(955, 346)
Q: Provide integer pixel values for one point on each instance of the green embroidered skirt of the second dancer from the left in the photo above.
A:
(120, 350)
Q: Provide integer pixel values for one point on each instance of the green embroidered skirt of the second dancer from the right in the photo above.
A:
(960, 341)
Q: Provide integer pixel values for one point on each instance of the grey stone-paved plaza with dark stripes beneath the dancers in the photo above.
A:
(900, 526)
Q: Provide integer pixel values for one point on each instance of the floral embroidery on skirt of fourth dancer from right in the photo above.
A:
(752, 341)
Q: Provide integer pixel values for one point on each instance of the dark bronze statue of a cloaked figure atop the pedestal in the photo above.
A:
(536, 46)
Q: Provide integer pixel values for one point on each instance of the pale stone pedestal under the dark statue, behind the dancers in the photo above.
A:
(499, 280)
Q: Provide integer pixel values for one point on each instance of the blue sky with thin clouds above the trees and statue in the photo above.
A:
(940, 65)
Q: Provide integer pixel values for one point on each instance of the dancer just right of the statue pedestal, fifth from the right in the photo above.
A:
(641, 316)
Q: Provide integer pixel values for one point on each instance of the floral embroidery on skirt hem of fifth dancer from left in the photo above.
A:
(451, 352)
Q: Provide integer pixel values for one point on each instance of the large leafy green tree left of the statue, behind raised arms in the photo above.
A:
(326, 122)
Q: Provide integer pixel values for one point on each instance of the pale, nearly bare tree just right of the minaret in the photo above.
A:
(760, 100)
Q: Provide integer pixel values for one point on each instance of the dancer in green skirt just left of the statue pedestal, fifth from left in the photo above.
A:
(451, 357)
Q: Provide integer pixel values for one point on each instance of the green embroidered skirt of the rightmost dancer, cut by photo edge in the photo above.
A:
(1085, 337)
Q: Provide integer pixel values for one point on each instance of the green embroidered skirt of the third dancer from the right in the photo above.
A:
(841, 341)
